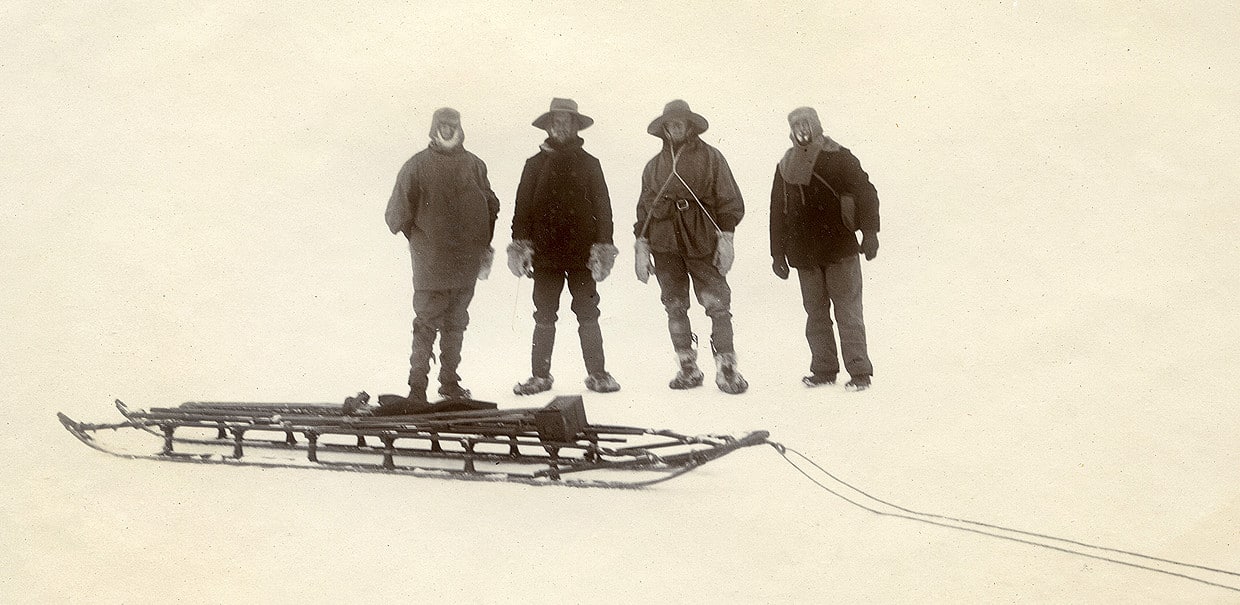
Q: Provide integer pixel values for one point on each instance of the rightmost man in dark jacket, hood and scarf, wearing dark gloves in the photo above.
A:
(820, 199)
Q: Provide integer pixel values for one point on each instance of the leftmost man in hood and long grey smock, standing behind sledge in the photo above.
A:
(445, 205)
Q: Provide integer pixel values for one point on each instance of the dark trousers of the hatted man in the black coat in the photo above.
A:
(549, 287)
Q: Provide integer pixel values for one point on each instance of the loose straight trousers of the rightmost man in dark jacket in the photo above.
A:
(835, 285)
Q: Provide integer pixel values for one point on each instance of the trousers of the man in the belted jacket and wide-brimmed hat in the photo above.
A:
(675, 273)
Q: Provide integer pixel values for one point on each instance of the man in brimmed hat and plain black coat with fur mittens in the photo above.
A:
(562, 234)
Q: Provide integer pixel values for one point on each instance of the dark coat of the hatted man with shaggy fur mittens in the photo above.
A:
(562, 206)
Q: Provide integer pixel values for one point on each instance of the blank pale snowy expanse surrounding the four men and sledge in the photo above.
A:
(193, 210)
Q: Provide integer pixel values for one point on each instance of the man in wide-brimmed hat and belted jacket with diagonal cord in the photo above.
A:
(688, 215)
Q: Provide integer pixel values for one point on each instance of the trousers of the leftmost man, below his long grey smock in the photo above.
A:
(447, 314)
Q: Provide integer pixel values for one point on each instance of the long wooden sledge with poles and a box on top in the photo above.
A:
(461, 439)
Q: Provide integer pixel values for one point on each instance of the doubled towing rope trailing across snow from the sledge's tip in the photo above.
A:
(990, 530)
